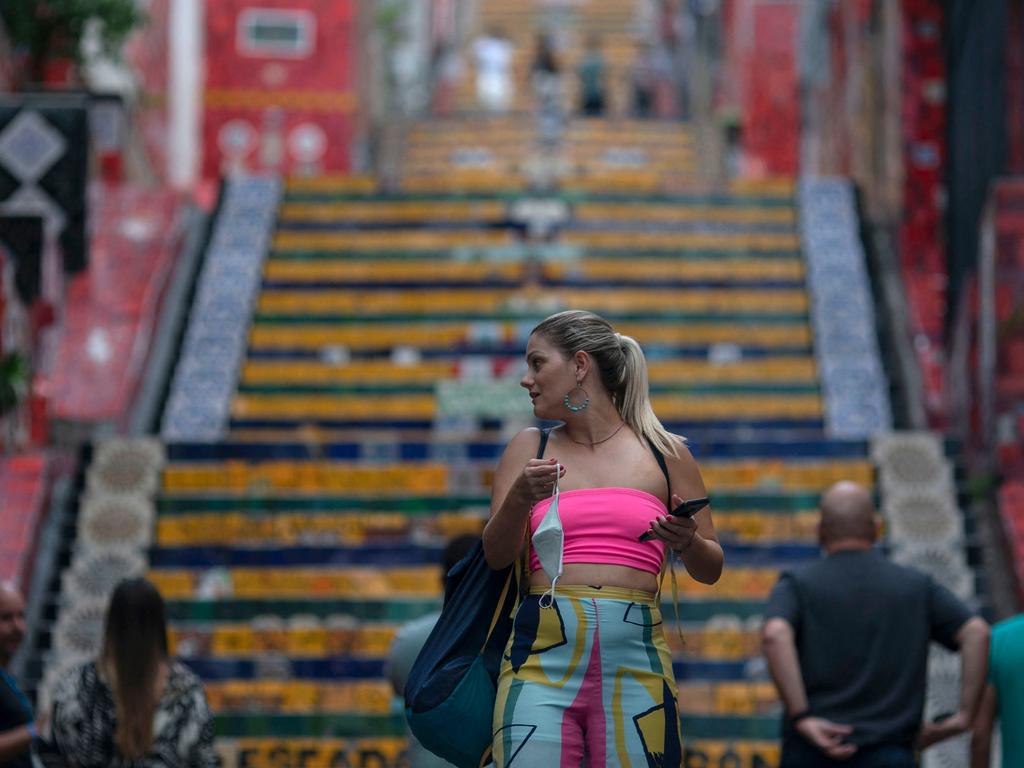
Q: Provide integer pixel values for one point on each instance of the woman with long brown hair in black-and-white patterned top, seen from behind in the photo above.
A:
(134, 707)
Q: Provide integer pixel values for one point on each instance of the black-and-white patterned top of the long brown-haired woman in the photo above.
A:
(84, 723)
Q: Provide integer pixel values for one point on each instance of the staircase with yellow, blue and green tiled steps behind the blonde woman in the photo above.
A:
(379, 386)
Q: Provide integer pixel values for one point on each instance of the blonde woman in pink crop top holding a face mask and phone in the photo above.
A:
(587, 669)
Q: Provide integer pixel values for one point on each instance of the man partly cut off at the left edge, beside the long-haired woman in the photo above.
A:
(18, 728)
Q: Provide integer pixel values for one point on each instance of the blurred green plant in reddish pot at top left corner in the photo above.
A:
(48, 34)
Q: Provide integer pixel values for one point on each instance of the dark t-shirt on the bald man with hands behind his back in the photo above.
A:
(863, 627)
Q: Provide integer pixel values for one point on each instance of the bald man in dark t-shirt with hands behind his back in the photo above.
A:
(846, 639)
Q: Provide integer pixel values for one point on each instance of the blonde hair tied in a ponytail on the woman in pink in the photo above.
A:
(620, 363)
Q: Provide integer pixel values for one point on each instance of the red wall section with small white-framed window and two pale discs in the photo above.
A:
(291, 110)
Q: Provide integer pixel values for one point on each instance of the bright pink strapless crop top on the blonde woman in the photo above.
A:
(602, 526)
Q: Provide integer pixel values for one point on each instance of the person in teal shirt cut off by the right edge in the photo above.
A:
(1004, 698)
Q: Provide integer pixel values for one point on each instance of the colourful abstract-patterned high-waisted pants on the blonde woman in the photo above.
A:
(588, 681)
